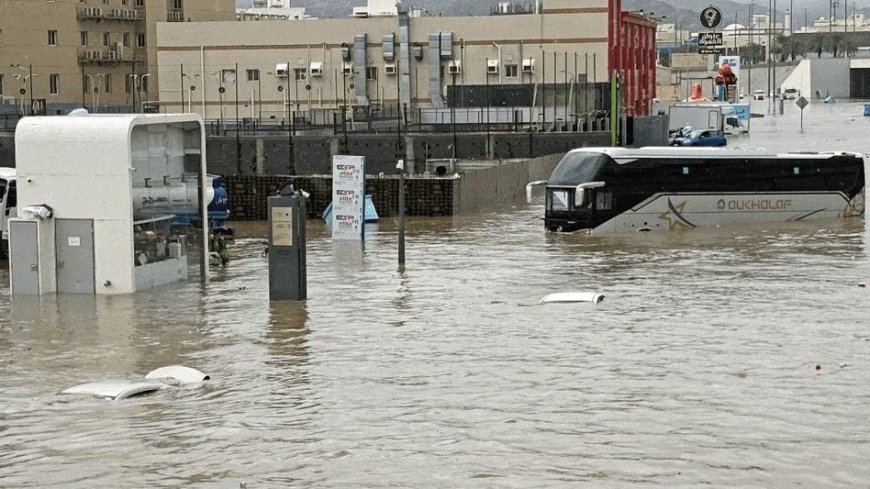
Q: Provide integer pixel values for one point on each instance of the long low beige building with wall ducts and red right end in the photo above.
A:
(264, 70)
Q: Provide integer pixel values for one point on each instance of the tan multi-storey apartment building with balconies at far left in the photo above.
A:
(56, 55)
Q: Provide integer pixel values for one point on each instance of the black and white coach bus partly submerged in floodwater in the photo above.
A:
(669, 188)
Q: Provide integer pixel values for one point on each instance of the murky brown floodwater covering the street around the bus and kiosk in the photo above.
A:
(736, 358)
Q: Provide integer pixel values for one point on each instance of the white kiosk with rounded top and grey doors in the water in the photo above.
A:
(98, 200)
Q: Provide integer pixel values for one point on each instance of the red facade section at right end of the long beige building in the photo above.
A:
(631, 40)
